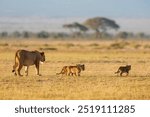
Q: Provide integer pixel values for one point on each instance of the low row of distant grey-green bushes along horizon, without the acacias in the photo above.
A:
(55, 35)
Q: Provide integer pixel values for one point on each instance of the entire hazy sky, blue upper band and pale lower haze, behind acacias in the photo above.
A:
(131, 15)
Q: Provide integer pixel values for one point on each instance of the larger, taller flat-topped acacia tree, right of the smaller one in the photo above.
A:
(101, 24)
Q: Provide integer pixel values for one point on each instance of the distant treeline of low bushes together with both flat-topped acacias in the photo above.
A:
(97, 27)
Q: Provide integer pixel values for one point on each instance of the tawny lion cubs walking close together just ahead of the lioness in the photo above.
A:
(72, 70)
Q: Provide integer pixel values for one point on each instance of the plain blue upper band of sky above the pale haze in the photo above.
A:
(76, 8)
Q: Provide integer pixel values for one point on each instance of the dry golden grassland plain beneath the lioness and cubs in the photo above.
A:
(98, 81)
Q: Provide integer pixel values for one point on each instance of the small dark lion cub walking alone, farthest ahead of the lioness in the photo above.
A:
(124, 69)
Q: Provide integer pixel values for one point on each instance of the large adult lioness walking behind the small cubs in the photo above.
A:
(27, 58)
